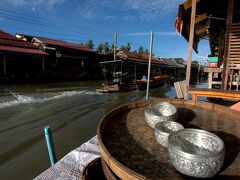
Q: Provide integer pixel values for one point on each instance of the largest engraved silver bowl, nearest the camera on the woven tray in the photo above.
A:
(196, 153)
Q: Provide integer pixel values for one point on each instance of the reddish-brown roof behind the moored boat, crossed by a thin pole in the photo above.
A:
(138, 57)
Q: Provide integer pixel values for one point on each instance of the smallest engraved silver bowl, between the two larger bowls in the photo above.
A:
(164, 129)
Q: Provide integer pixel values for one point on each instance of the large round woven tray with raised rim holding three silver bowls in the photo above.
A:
(129, 148)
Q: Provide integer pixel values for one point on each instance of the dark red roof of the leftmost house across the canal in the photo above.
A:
(10, 43)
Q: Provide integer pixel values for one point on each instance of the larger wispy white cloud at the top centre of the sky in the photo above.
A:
(128, 9)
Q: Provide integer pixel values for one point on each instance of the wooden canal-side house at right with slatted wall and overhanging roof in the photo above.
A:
(219, 22)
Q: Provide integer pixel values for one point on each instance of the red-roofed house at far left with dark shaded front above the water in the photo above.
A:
(19, 59)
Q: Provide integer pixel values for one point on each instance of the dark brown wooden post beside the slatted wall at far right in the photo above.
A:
(227, 47)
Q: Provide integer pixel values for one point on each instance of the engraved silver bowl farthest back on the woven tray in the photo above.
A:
(163, 111)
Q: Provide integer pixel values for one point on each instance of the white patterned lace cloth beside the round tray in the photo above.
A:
(71, 166)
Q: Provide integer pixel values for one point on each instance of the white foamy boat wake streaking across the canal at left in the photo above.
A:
(26, 99)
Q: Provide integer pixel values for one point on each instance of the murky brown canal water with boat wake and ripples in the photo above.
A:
(72, 110)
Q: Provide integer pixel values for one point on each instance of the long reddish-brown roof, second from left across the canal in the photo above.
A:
(61, 43)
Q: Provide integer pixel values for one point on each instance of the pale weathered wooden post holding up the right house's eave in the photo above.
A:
(190, 45)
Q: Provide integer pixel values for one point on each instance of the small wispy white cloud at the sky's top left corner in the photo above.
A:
(36, 4)
